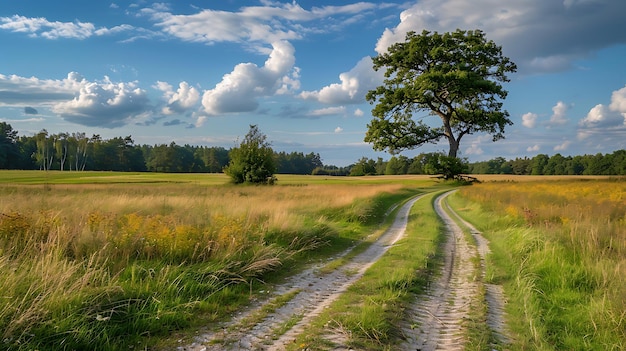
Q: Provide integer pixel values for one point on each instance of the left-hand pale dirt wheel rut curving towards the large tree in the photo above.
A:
(314, 293)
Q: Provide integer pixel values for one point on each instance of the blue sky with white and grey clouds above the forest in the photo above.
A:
(201, 72)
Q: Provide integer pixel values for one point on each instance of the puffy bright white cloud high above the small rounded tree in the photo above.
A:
(239, 90)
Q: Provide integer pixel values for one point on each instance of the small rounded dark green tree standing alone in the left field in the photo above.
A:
(253, 160)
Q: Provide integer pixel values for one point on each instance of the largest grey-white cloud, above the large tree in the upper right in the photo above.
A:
(560, 35)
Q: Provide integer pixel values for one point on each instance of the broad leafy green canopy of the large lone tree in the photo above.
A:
(453, 76)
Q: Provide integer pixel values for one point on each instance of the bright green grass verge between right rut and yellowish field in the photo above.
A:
(553, 299)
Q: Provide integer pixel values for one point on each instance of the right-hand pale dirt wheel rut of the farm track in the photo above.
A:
(437, 321)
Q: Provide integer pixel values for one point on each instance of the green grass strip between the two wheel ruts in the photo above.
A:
(369, 312)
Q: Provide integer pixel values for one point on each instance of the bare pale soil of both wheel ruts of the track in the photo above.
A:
(434, 322)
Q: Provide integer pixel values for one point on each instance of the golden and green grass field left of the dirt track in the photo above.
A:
(104, 261)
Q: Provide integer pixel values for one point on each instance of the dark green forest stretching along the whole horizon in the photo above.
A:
(79, 152)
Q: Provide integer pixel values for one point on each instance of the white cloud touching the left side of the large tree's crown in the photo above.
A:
(352, 88)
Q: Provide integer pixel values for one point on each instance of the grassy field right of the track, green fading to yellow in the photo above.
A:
(560, 251)
